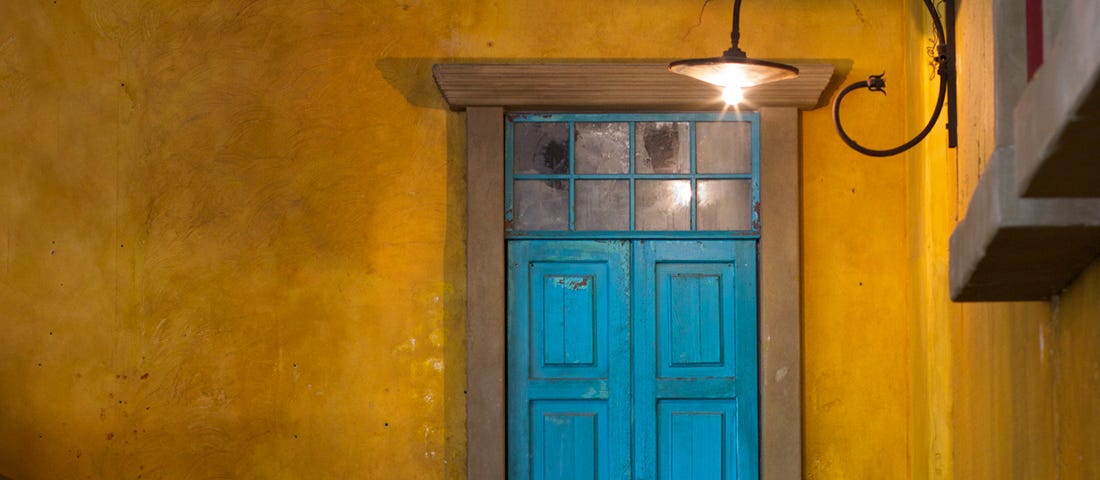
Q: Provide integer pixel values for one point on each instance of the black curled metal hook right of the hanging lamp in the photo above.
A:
(875, 83)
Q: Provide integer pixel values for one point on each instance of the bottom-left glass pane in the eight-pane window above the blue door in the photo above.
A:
(541, 205)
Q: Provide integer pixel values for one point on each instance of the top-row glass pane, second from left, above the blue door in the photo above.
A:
(602, 148)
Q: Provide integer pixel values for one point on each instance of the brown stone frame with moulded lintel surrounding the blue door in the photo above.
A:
(779, 267)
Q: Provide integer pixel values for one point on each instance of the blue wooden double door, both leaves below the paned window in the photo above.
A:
(633, 359)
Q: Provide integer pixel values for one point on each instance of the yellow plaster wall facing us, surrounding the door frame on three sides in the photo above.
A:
(233, 232)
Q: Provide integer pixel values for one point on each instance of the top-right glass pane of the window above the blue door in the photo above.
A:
(724, 148)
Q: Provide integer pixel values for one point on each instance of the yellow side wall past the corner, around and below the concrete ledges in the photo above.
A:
(1004, 390)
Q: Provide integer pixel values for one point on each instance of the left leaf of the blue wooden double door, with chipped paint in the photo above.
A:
(569, 368)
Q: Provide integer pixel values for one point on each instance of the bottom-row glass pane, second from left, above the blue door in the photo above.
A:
(603, 205)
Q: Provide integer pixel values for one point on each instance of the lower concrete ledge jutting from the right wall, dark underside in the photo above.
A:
(1009, 248)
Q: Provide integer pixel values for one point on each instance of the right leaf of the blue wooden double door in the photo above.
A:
(696, 361)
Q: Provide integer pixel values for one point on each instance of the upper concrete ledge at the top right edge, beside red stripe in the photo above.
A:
(1058, 119)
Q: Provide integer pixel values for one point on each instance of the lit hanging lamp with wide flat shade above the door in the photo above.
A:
(734, 71)
